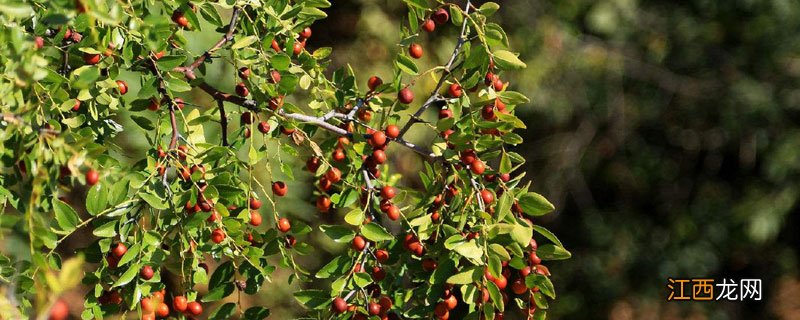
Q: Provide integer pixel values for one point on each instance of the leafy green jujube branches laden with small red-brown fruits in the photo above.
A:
(458, 243)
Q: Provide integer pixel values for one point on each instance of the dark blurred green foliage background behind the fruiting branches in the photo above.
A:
(664, 131)
